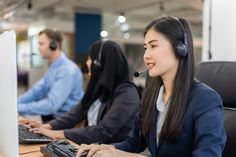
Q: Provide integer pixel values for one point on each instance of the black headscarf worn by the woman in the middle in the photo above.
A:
(104, 80)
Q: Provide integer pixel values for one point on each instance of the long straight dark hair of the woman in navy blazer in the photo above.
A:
(170, 27)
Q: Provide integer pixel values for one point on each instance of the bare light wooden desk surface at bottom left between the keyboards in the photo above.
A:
(33, 150)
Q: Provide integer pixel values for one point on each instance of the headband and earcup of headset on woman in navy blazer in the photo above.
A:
(181, 47)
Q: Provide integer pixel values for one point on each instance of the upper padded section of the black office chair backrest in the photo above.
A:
(221, 76)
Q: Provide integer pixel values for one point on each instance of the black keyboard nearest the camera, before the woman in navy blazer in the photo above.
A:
(60, 148)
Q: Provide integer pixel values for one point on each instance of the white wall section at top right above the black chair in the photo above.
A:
(219, 30)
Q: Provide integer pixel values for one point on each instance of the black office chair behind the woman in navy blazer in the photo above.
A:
(221, 76)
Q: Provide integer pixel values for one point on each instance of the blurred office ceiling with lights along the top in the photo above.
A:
(138, 13)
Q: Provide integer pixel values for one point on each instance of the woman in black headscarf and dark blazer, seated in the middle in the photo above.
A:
(109, 105)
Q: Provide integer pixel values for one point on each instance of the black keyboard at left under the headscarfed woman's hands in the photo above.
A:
(27, 137)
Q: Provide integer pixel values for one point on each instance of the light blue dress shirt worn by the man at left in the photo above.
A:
(56, 93)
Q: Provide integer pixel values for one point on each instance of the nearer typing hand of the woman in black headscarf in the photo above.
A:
(58, 134)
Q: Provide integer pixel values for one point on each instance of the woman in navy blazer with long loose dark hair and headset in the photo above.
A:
(180, 116)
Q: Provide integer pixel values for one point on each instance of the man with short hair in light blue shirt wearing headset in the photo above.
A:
(60, 88)
